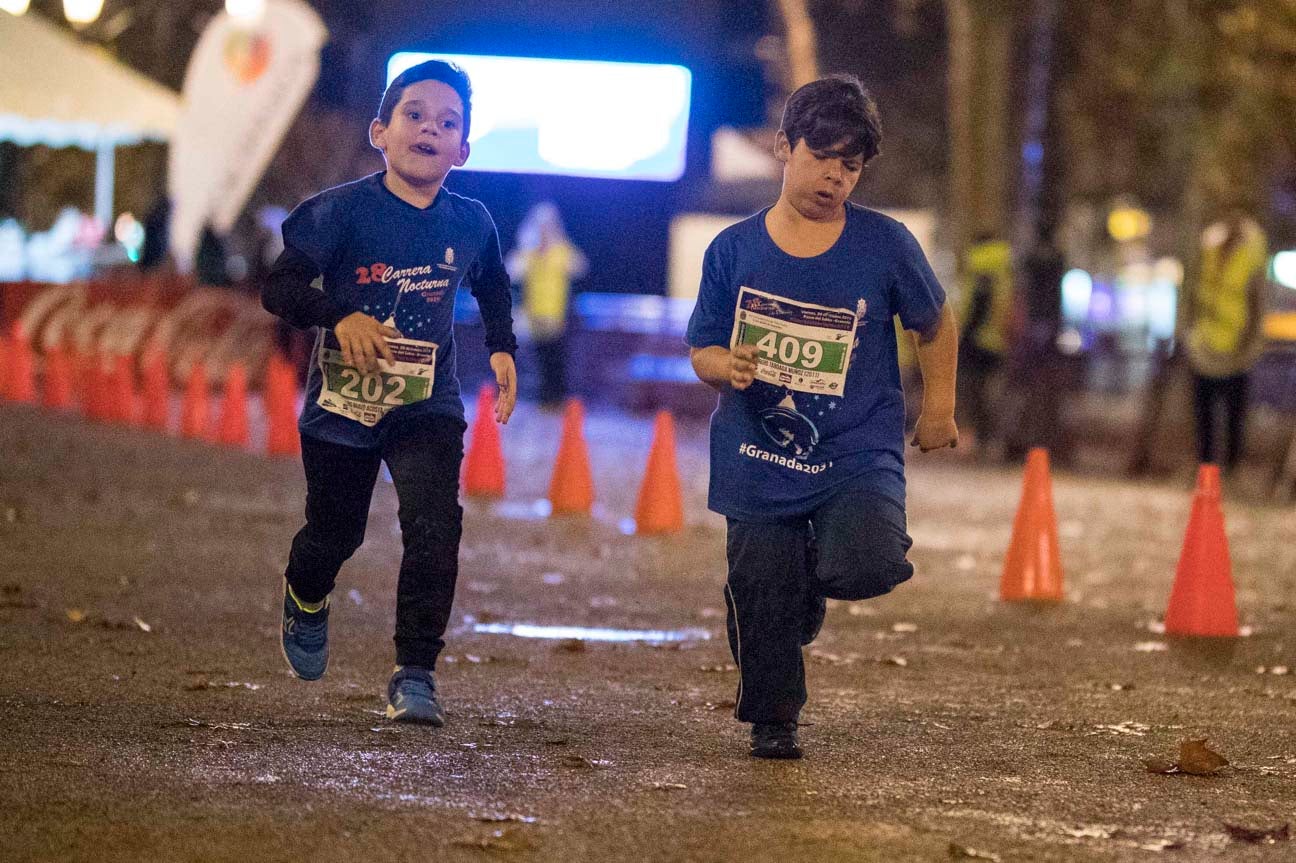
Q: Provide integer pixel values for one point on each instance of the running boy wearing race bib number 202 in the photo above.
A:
(393, 249)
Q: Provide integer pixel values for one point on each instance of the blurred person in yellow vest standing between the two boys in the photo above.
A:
(546, 262)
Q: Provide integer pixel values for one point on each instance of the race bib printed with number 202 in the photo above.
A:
(367, 397)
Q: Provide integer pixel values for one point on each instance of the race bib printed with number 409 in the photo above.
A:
(800, 347)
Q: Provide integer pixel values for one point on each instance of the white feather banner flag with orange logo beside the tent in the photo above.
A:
(243, 90)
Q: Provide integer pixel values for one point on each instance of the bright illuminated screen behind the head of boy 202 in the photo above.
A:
(573, 117)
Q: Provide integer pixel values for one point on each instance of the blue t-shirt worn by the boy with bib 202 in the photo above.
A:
(389, 259)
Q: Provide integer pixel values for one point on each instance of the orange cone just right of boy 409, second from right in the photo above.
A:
(1032, 570)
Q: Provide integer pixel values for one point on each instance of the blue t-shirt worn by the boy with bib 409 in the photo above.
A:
(777, 453)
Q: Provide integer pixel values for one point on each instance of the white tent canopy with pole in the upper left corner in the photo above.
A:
(59, 93)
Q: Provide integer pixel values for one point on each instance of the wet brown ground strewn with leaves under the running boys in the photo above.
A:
(147, 713)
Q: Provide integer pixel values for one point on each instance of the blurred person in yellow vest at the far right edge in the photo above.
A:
(1225, 338)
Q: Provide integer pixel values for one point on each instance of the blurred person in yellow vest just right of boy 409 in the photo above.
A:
(987, 314)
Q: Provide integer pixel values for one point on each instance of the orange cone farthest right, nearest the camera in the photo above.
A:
(1202, 601)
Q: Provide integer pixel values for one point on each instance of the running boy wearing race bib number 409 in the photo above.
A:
(794, 327)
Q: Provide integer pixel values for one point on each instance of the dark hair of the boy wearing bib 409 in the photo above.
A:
(826, 112)
